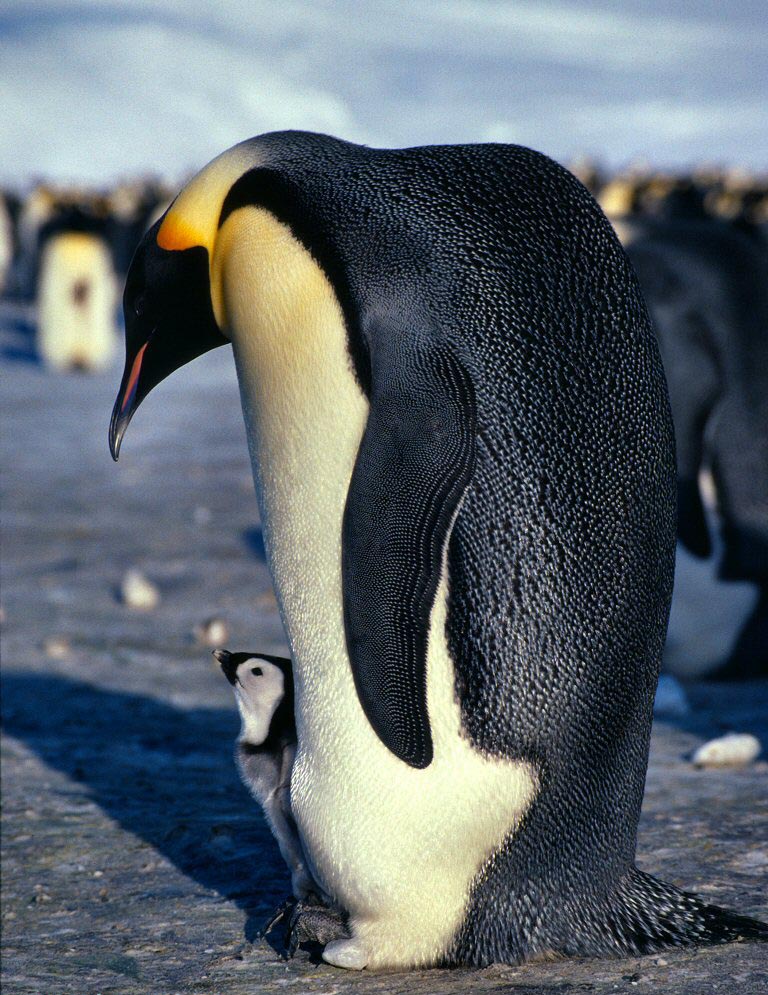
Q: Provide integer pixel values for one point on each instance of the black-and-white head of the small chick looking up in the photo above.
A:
(259, 688)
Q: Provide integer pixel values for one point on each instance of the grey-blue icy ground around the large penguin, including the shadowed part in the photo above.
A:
(133, 860)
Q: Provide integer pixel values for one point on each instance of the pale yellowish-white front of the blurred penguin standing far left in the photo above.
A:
(76, 300)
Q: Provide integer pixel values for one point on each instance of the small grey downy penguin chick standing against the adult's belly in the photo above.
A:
(266, 748)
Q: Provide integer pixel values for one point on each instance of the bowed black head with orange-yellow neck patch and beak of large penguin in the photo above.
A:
(169, 313)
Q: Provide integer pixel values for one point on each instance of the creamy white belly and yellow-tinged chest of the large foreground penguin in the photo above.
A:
(397, 847)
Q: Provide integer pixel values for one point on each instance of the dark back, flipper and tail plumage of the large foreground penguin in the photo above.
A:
(519, 432)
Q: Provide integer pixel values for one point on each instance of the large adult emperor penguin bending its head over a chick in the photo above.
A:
(463, 456)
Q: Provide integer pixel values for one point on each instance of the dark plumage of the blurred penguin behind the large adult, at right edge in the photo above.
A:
(706, 285)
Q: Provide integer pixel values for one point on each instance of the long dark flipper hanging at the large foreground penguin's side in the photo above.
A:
(414, 463)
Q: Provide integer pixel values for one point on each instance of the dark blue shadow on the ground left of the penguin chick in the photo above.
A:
(164, 774)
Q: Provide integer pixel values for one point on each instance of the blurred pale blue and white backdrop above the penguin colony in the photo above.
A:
(96, 89)
